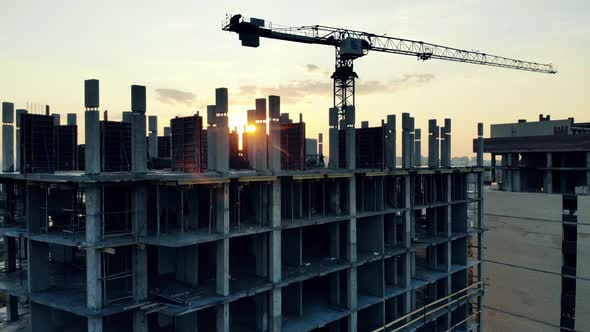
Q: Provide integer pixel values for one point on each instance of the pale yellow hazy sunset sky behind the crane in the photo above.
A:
(177, 49)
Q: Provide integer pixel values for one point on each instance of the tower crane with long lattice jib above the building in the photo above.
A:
(350, 45)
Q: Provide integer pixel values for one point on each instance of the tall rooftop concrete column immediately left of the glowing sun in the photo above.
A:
(222, 130)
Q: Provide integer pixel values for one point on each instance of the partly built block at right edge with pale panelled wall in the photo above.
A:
(538, 218)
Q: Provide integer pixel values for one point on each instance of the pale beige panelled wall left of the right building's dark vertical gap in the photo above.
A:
(524, 235)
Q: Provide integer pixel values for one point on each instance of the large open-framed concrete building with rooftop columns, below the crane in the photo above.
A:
(276, 245)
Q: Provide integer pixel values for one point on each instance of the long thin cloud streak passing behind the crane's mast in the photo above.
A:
(298, 90)
